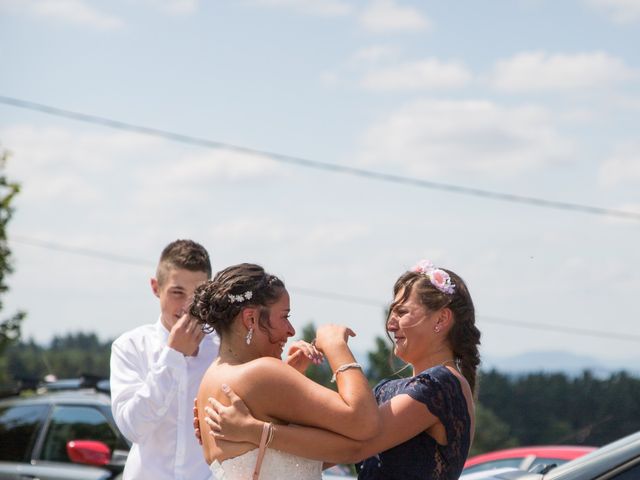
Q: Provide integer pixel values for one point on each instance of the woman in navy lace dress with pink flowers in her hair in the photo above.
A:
(427, 420)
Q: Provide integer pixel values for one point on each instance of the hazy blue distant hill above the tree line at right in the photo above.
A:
(558, 361)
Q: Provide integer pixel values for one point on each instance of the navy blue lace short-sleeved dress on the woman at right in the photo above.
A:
(421, 457)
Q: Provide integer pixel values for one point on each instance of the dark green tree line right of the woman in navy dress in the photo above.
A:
(545, 408)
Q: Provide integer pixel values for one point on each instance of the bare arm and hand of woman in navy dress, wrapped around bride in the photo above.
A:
(401, 419)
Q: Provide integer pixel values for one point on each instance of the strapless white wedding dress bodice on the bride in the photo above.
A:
(276, 465)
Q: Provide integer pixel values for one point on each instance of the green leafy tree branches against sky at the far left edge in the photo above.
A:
(10, 327)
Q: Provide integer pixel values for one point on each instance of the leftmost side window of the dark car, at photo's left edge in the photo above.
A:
(19, 426)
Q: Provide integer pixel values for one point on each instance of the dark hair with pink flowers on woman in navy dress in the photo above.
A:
(439, 288)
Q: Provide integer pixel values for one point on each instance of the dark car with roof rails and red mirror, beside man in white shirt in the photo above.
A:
(62, 431)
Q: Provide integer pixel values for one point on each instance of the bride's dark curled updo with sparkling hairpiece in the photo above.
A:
(216, 303)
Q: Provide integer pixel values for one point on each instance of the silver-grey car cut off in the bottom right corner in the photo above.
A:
(619, 460)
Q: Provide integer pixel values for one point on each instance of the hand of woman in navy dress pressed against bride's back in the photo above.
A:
(233, 423)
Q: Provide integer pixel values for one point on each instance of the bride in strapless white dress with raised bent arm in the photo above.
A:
(249, 309)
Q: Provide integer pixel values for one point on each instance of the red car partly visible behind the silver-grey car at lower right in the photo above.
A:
(525, 457)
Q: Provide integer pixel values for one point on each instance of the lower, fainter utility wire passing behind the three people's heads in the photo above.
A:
(329, 295)
